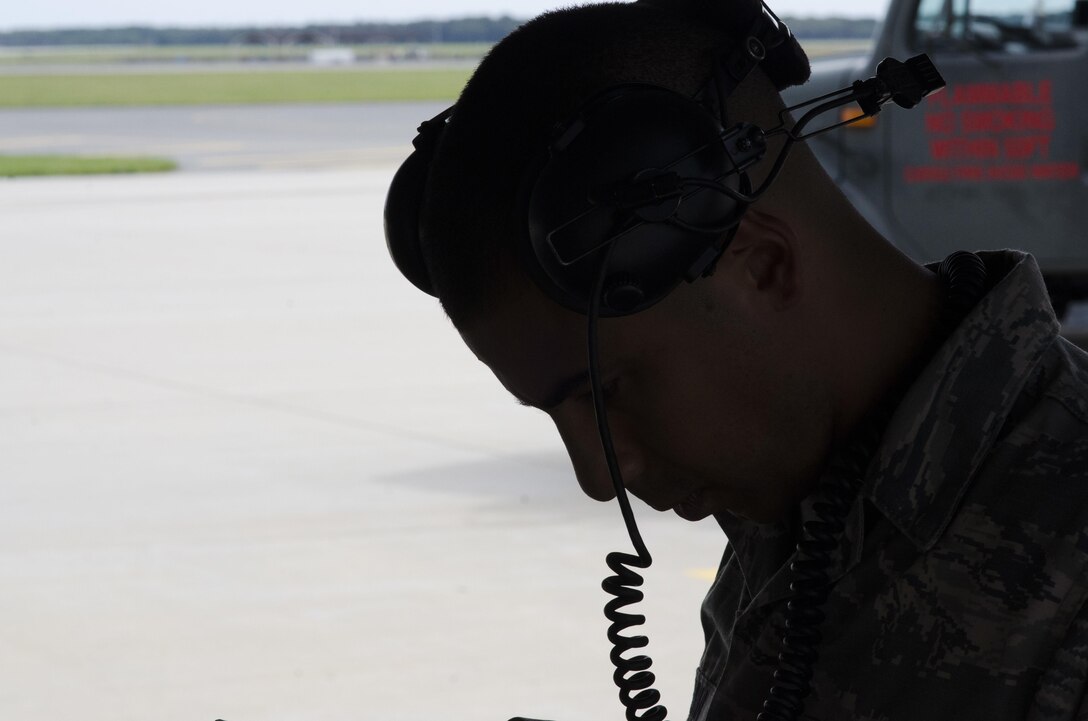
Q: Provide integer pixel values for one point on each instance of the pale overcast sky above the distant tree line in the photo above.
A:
(100, 14)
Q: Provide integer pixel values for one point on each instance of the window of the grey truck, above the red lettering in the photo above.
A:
(998, 26)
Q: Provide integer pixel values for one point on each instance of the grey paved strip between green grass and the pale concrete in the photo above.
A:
(226, 138)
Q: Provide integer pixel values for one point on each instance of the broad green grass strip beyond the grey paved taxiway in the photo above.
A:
(230, 88)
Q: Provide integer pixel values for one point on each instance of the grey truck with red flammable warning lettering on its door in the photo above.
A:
(999, 159)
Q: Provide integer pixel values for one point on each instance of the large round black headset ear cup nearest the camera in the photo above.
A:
(585, 202)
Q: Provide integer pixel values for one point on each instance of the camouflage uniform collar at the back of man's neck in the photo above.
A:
(954, 414)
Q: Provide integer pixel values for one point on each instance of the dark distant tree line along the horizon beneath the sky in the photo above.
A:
(465, 30)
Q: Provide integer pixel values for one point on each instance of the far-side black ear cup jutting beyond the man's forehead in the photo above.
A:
(403, 206)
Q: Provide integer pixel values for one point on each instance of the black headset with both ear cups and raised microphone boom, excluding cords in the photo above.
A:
(650, 175)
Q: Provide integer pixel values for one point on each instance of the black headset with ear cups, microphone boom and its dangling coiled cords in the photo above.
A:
(645, 189)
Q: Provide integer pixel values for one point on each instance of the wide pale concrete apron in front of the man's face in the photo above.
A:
(250, 474)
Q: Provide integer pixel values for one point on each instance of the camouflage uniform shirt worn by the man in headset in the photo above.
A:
(962, 577)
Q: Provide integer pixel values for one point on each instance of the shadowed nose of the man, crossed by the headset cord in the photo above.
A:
(578, 428)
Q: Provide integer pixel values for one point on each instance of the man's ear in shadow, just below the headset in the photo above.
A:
(764, 257)
